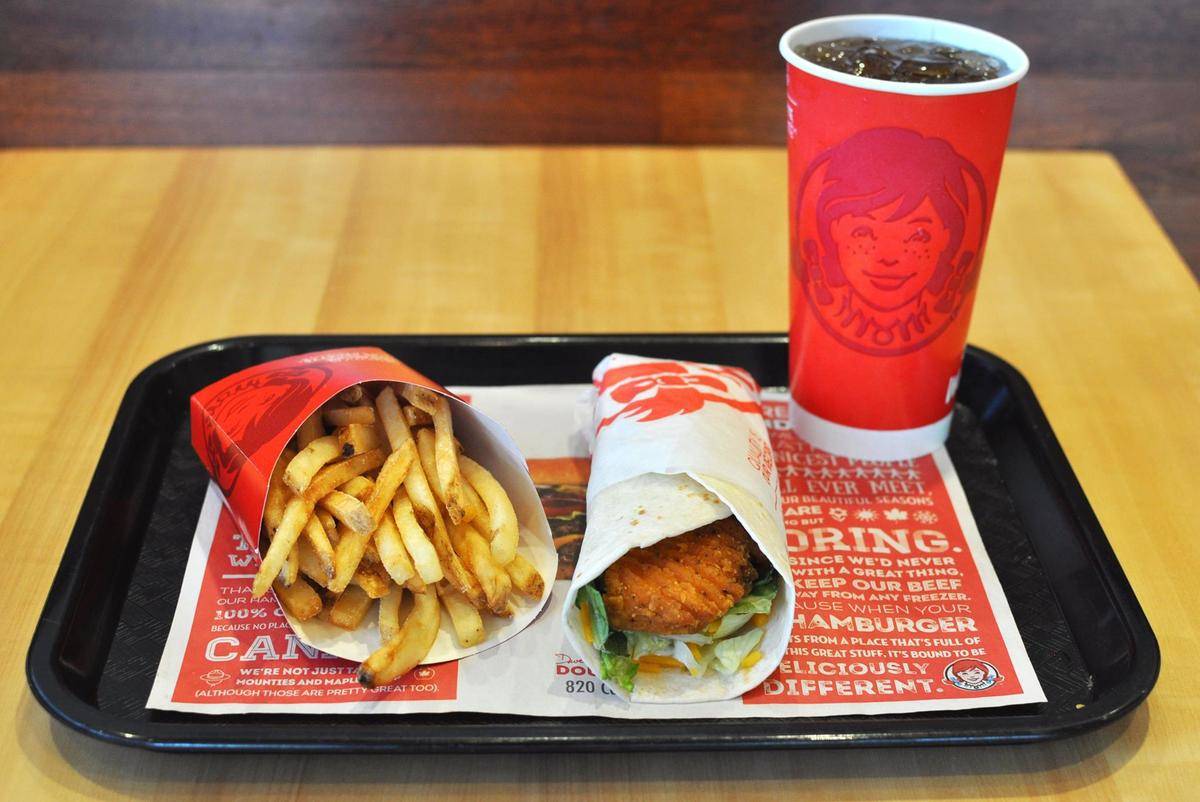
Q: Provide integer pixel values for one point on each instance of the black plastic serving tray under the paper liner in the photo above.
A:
(98, 644)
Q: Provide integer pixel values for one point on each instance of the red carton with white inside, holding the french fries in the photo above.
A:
(242, 424)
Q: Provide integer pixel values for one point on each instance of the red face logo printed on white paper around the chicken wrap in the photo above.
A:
(657, 391)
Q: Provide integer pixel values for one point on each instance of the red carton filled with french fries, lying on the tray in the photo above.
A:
(397, 525)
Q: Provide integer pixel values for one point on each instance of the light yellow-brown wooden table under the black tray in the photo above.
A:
(111, 259)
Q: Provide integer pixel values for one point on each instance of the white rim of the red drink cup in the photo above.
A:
(950, 32)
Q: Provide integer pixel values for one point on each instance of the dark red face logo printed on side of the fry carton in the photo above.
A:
(251, 412)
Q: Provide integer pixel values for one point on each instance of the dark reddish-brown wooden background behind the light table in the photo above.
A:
(1118, 75)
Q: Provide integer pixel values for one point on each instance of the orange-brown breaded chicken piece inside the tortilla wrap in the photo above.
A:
(681, 585)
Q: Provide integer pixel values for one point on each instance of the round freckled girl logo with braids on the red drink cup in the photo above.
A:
(889, 230)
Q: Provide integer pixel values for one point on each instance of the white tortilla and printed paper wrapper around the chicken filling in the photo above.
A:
(680, 446)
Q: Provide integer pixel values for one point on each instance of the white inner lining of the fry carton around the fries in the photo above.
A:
(487, 442)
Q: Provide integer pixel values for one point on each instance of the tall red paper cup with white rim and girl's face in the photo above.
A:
(891, 190)
